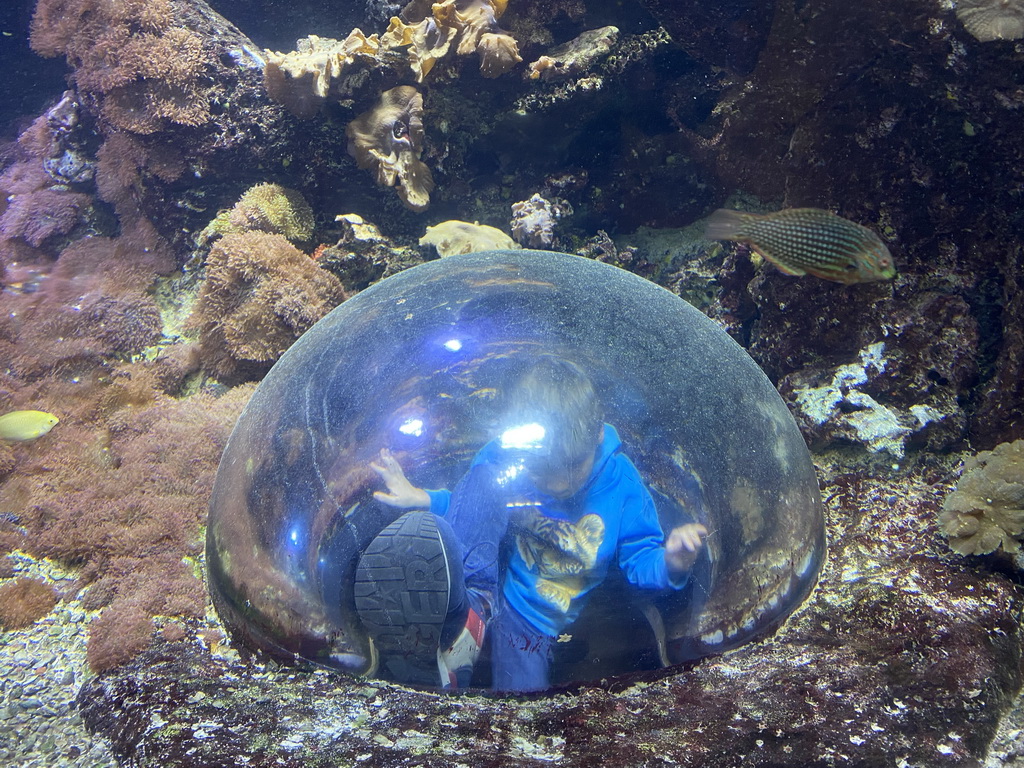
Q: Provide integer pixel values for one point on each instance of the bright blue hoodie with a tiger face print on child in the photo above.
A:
(561, 549)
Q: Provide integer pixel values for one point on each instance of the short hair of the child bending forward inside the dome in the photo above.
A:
(558, 395)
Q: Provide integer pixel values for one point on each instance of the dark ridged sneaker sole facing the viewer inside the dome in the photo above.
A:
(402, 590)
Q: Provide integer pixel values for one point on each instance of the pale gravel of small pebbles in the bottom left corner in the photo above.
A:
(41, 667)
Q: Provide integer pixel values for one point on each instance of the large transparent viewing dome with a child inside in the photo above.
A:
(425, 367)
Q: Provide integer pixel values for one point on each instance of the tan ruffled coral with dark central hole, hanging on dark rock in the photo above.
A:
(389, 141)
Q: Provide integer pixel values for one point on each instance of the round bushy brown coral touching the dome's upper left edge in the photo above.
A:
(260, 295)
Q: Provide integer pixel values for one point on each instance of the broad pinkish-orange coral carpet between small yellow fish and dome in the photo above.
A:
(119, 493)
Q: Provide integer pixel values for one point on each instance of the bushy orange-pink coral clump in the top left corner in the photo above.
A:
(144, 71)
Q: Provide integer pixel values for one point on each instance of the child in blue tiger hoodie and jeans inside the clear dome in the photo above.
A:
(556, 481)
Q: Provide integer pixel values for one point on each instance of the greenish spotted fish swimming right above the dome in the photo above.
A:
(808, 241)
